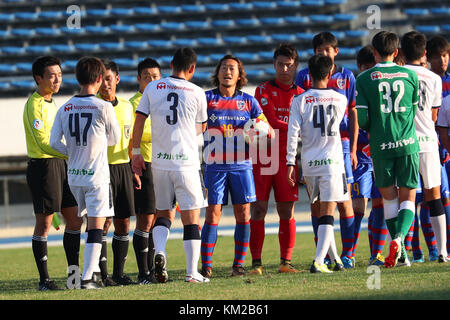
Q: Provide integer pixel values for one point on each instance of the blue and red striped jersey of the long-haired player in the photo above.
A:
(225, 147)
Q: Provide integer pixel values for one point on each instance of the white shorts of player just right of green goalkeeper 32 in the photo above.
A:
(430, 169)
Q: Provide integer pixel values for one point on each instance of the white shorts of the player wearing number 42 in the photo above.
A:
(327, 188)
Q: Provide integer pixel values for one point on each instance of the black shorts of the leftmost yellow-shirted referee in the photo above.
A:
(47, 180)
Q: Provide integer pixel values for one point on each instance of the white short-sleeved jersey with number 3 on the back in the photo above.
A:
(175, 105)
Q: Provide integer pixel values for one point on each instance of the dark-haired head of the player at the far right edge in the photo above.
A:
(438, 50)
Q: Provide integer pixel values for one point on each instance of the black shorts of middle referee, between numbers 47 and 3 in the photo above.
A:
(122, 190)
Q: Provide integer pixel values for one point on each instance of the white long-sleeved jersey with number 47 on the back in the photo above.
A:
(89, 126)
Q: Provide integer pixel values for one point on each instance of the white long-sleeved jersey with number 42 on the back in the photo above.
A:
(315, 116)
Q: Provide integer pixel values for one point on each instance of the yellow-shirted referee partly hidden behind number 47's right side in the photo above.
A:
(121, 179)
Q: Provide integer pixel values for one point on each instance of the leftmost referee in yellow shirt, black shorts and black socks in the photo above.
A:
(47, 171)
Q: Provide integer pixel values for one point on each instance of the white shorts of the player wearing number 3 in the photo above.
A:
(185, 187)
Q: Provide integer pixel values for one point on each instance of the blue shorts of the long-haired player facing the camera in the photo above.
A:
(239, 183)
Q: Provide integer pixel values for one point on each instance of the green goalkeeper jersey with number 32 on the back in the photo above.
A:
(386, 99)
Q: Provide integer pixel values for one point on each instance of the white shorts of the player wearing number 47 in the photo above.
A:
(95, 201)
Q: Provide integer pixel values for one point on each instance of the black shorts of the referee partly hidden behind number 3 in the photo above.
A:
(144, 199)
